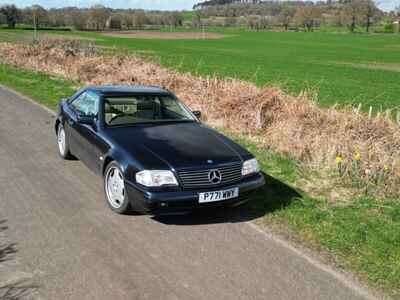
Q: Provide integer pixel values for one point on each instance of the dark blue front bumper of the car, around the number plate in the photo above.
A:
(161, 202)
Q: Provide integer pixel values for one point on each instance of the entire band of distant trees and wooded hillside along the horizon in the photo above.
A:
(289, 15)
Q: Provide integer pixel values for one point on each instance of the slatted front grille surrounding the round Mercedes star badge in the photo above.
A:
(199, 178)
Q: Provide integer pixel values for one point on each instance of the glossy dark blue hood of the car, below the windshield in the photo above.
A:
(180, 145)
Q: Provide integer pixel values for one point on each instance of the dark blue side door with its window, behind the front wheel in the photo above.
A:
(83, 137)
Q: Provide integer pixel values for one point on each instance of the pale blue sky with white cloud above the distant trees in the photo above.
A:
(144, 4)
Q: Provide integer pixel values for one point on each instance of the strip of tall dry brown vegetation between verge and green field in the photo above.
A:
(292, 125)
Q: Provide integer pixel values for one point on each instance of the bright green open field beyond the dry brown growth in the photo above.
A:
(341, 68)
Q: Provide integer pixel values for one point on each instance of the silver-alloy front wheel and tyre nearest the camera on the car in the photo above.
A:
(114, 189)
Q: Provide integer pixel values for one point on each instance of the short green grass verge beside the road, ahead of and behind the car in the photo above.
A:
(361, 235)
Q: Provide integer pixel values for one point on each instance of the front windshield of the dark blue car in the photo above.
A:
(130, 110)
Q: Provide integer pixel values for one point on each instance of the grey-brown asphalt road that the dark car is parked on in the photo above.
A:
(59, 240)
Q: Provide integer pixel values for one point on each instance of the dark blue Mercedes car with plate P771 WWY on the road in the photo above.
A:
(155, 155)
